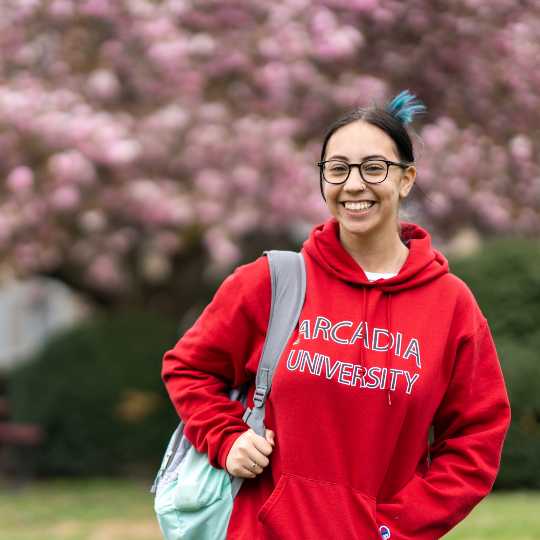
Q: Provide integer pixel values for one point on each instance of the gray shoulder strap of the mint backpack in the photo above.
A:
(288, 281)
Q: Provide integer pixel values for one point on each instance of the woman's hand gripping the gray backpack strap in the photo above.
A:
(248, 449)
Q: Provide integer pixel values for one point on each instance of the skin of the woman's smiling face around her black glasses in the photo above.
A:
(353, 143)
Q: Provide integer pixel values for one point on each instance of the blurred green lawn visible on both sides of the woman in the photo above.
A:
(122, 510)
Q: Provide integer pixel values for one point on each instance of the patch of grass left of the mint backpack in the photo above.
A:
(78, 510)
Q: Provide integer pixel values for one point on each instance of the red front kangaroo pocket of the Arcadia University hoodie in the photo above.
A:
(301, 507)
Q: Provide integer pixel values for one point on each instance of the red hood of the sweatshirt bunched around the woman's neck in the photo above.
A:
(423, 263)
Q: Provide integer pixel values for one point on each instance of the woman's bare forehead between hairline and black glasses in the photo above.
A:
(359, 139)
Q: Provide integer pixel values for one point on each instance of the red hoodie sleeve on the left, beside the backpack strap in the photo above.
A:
(211, 358)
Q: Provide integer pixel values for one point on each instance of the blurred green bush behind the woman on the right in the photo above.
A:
(505, 278)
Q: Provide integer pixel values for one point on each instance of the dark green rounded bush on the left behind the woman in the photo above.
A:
(97, 392)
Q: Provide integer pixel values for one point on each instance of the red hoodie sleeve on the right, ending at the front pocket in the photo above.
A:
(470, 426)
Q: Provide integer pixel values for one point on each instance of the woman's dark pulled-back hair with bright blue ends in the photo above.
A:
(391, 119)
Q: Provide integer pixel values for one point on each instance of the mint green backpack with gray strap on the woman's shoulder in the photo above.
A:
(193, 500)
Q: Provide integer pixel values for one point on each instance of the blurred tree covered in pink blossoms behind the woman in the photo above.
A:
(138, 135)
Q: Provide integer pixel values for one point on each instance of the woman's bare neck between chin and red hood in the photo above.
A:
(379, 252)
